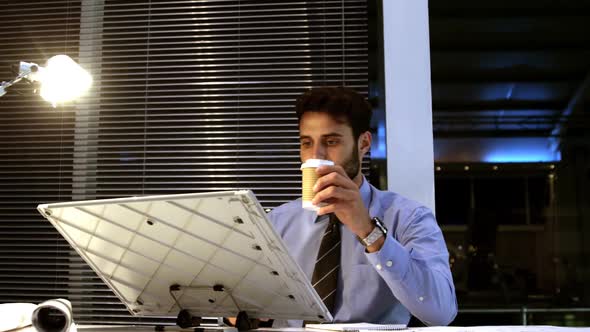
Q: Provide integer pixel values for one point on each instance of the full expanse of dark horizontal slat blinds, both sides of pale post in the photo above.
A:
(188, 96)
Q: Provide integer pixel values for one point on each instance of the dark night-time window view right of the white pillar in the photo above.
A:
(510, 85)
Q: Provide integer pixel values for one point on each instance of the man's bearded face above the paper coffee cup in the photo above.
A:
(322, 137)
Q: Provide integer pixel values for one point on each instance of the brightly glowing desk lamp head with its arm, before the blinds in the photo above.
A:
(61, 80)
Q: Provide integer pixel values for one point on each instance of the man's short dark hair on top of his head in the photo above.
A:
(342, 103)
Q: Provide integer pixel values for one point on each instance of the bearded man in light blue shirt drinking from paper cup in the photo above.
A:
(393, 261)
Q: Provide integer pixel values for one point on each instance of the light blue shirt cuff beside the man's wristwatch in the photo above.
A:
(392, 259)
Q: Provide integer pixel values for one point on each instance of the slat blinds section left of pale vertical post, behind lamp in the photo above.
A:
(36, 156)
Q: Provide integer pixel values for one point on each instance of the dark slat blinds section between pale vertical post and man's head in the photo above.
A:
(200, 96)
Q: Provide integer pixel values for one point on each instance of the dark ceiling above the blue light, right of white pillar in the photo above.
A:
(509, 68)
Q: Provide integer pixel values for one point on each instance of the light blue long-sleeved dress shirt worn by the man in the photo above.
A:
(410, 274)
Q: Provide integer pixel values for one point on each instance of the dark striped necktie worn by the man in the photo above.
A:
(325, 273)
